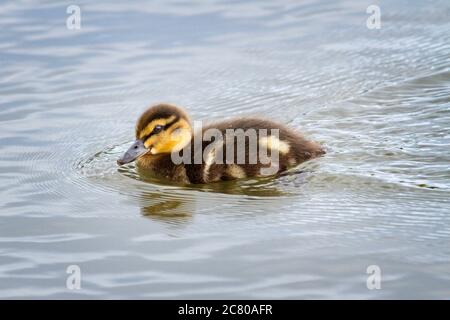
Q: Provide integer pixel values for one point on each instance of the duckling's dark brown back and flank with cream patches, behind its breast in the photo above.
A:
(246, 147)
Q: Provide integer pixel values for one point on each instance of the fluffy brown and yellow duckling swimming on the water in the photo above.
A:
(167, 146)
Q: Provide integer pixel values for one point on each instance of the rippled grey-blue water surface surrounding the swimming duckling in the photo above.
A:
(379, 100)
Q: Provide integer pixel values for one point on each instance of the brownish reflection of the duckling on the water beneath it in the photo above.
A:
(177, 205)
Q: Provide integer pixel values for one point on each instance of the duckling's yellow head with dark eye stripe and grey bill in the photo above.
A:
(162, 128)
